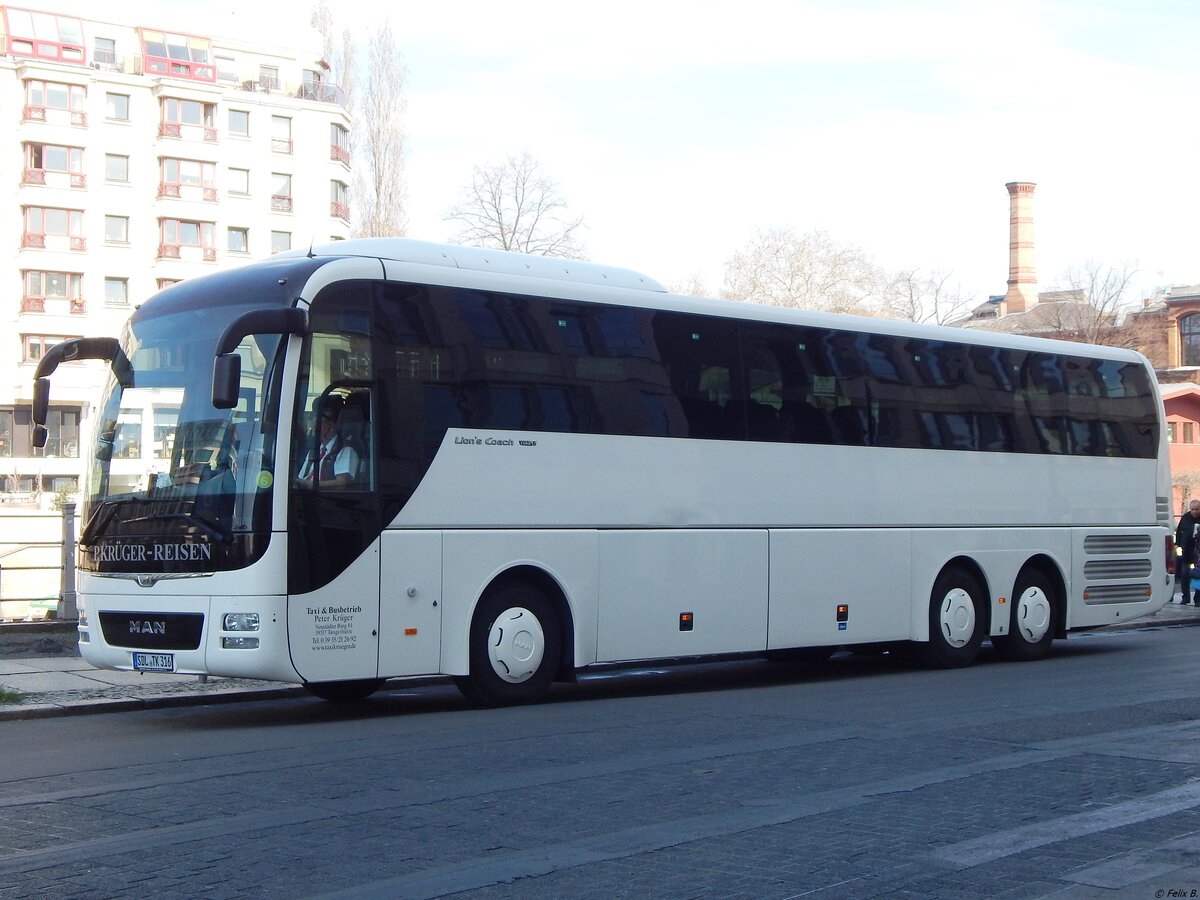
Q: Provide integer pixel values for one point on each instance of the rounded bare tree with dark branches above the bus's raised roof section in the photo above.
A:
(517, 207)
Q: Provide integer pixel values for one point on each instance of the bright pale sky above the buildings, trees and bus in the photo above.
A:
(679, 130)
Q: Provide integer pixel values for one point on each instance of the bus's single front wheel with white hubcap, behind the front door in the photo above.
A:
(515, 647)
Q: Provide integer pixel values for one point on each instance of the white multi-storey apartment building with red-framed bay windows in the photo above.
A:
(142, 158)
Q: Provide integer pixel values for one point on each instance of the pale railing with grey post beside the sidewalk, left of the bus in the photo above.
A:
(38, 566)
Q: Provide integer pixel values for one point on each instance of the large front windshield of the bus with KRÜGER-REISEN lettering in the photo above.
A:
(199, 497)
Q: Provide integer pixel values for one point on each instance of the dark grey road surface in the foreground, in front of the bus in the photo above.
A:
(1075, 777)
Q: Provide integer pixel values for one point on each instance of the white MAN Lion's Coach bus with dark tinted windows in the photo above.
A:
(533, 466)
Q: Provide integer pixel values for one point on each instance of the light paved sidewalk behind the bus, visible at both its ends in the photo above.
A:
(41, 665)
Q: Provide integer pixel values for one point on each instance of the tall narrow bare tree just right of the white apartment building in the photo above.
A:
(380, 182)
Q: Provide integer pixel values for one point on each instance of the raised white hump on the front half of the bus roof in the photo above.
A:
(405, 250)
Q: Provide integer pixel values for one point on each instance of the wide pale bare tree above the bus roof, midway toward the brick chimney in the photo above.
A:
(809, 272)
